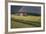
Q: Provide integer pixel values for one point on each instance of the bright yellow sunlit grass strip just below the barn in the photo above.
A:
(29, 18)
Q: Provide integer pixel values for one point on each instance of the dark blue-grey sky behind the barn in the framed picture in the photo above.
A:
(29, 9)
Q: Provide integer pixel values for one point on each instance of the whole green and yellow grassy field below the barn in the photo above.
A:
(25, 21)
